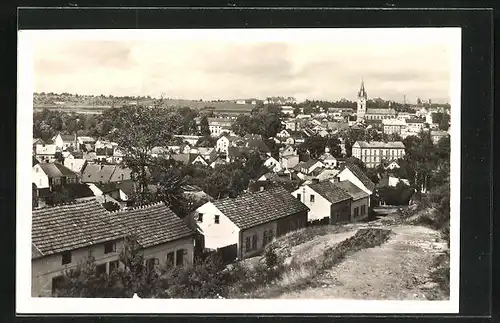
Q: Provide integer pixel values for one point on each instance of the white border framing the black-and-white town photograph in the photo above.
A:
(26, 304)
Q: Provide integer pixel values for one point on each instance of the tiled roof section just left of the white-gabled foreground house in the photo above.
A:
(152, 224)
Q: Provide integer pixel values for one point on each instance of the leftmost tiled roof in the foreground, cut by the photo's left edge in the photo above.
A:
(71, 226)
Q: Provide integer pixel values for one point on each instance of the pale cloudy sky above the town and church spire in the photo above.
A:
(305, 64)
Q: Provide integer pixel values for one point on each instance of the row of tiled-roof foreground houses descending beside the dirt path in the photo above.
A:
(238, 228)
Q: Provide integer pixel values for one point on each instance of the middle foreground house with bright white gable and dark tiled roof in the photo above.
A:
(267, 214)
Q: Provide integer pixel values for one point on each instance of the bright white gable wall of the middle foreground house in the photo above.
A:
(223, 234)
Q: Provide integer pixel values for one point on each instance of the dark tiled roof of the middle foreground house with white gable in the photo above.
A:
(252, 209)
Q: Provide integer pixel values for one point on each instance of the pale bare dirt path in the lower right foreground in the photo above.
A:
(397, 270)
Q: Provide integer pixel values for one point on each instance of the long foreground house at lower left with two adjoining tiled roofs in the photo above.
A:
(162, 236)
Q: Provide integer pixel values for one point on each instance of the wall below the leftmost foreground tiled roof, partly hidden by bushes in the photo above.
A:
(45, 268)
